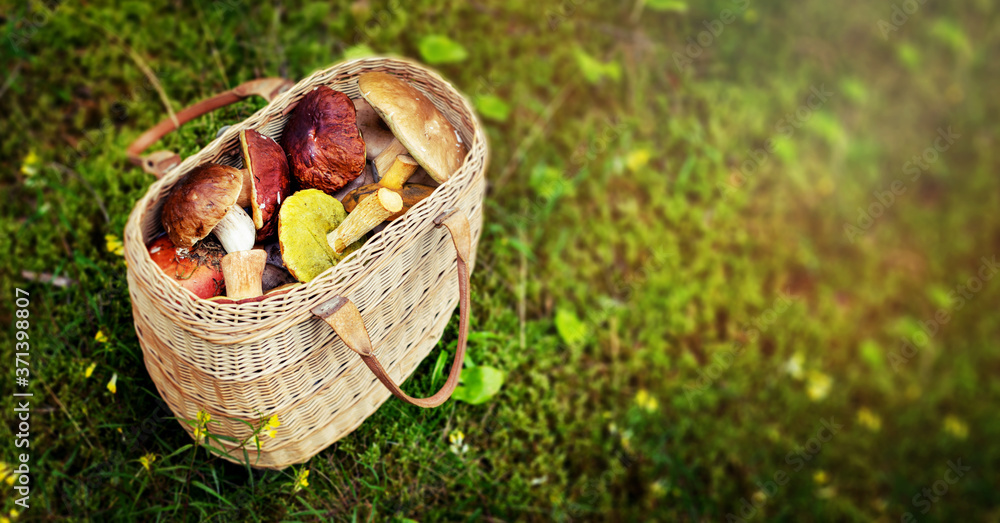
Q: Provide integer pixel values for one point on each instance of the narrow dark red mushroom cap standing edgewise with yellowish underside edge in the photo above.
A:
(270, 184)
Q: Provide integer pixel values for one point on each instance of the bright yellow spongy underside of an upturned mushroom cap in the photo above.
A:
(304, 221)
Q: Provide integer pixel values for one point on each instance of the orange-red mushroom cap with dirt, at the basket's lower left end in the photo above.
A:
(198, 270)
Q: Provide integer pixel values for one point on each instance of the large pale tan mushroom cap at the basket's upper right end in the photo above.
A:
(423, 130)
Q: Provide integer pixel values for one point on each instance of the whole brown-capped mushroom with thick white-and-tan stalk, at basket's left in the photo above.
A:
(205, 201)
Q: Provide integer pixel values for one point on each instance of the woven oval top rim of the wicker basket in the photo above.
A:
(138, 256)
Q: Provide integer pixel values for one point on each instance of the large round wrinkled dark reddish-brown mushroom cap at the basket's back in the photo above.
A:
(325, 149)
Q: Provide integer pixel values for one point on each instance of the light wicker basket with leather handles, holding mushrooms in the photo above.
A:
(279, 356)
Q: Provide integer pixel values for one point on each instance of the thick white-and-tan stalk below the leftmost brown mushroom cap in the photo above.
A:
(244, 265)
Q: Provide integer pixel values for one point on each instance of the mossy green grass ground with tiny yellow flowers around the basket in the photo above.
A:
(736, 259)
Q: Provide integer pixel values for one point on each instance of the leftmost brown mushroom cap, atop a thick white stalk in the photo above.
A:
(197, 203)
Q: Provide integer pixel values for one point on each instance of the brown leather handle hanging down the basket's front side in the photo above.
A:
(341, 314)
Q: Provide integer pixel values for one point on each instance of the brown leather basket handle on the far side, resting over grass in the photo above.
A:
(159, 162)
